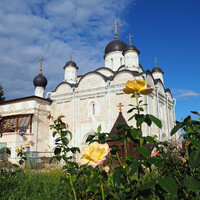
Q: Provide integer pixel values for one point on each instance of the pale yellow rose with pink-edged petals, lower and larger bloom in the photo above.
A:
(94, 154)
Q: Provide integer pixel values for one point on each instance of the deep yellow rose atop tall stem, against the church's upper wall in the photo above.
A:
(138, 85)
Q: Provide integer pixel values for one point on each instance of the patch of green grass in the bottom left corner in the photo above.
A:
(33, 186)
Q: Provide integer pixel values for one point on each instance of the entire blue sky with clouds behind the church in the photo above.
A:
(166, 29)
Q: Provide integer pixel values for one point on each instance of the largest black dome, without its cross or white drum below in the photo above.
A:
(115, 45)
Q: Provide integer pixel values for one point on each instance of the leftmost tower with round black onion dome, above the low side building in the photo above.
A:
(40, 82)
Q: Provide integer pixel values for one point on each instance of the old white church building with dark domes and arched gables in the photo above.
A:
(86, 102)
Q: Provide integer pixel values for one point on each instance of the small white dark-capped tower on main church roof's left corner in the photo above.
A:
(70, 71)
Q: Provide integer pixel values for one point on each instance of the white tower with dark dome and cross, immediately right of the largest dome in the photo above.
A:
(131, 56)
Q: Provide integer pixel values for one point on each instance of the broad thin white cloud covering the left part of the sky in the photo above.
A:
(51, 29)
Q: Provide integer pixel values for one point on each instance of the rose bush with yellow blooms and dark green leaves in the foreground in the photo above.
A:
(164, 172)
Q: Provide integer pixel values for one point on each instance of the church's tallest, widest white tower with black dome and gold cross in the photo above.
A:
(113, 52)
